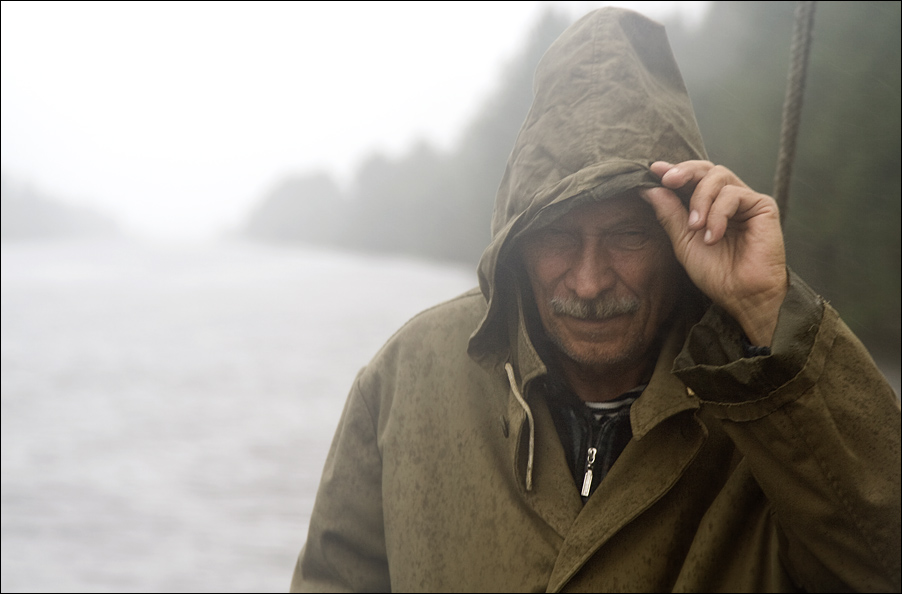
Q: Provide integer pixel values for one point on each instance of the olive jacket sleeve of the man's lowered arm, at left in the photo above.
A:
(345, 548)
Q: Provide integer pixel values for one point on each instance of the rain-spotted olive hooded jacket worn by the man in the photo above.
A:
(766, 473)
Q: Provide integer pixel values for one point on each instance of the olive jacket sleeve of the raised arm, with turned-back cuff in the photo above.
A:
(819, 427)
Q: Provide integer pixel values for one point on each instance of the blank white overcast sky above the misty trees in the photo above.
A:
(177, 118)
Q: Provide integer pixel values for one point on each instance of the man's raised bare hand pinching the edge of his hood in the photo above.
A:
(729, 241)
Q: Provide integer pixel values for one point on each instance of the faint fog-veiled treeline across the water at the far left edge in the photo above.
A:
(28, 214)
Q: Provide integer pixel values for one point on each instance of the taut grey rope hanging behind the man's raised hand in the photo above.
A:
(792, 106)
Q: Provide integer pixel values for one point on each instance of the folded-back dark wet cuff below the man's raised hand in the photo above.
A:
(714, 361)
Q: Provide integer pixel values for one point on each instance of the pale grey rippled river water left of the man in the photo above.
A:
(166, 411)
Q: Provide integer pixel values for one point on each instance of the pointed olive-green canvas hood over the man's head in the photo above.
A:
(609, 100)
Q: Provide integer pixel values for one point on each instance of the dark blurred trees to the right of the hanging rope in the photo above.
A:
(844, 214)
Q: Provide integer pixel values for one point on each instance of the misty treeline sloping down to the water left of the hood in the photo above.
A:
(430, 203)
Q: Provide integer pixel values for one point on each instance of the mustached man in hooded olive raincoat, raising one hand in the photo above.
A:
(639, 398)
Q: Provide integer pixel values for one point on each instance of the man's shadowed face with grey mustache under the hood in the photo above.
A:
(605, 279)
